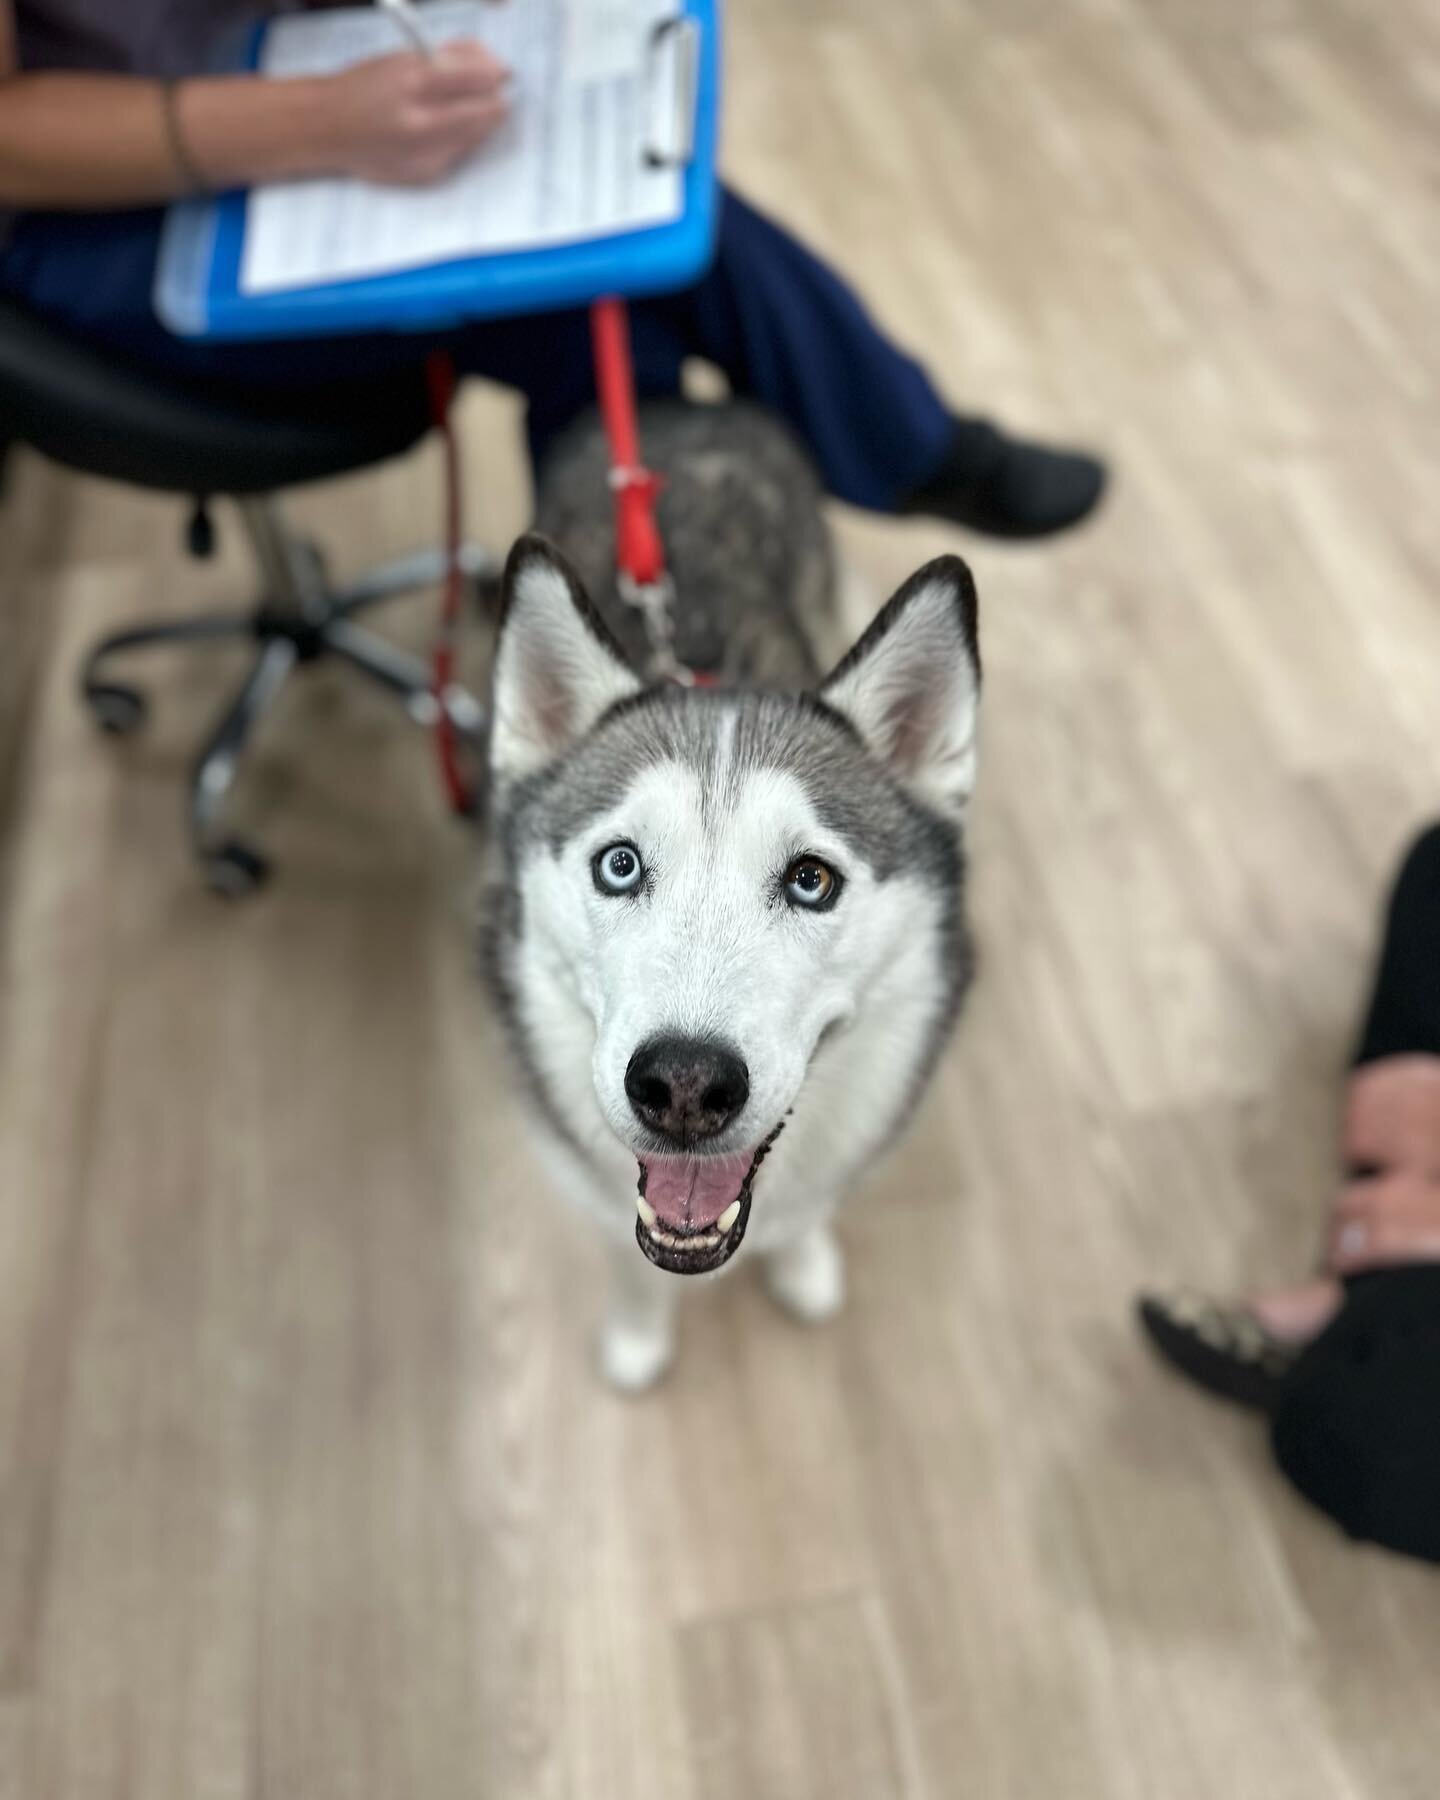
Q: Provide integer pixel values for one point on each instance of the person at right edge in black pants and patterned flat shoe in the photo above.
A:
(1354, 1392)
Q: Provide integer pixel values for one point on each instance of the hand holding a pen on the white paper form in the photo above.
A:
(408, 120)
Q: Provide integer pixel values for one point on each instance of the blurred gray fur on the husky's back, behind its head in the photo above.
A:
(744, 534)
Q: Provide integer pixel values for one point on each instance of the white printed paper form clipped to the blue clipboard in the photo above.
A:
(568, 165)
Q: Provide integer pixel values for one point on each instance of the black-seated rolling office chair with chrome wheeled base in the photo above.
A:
(96, 415)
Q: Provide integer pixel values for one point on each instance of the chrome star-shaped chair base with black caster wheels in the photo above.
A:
(298, 622)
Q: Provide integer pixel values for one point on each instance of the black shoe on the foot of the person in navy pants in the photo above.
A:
(1009, 489)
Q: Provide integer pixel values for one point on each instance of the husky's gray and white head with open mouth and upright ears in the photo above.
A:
(717, 883)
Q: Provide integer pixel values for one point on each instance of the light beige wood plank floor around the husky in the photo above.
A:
(307, 1489)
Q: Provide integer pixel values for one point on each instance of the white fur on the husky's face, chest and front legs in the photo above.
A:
(710, 957)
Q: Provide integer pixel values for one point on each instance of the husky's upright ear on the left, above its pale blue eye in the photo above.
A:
(557, 669)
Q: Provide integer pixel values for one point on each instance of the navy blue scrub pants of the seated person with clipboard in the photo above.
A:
(782, 327)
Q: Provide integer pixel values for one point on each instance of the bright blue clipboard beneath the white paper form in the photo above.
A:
(197, 283)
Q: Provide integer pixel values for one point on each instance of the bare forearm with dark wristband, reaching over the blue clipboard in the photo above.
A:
(93, 143)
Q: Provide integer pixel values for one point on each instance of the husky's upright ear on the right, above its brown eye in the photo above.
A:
(912, 685)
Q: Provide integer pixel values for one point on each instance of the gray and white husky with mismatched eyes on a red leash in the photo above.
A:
(726, 922)
